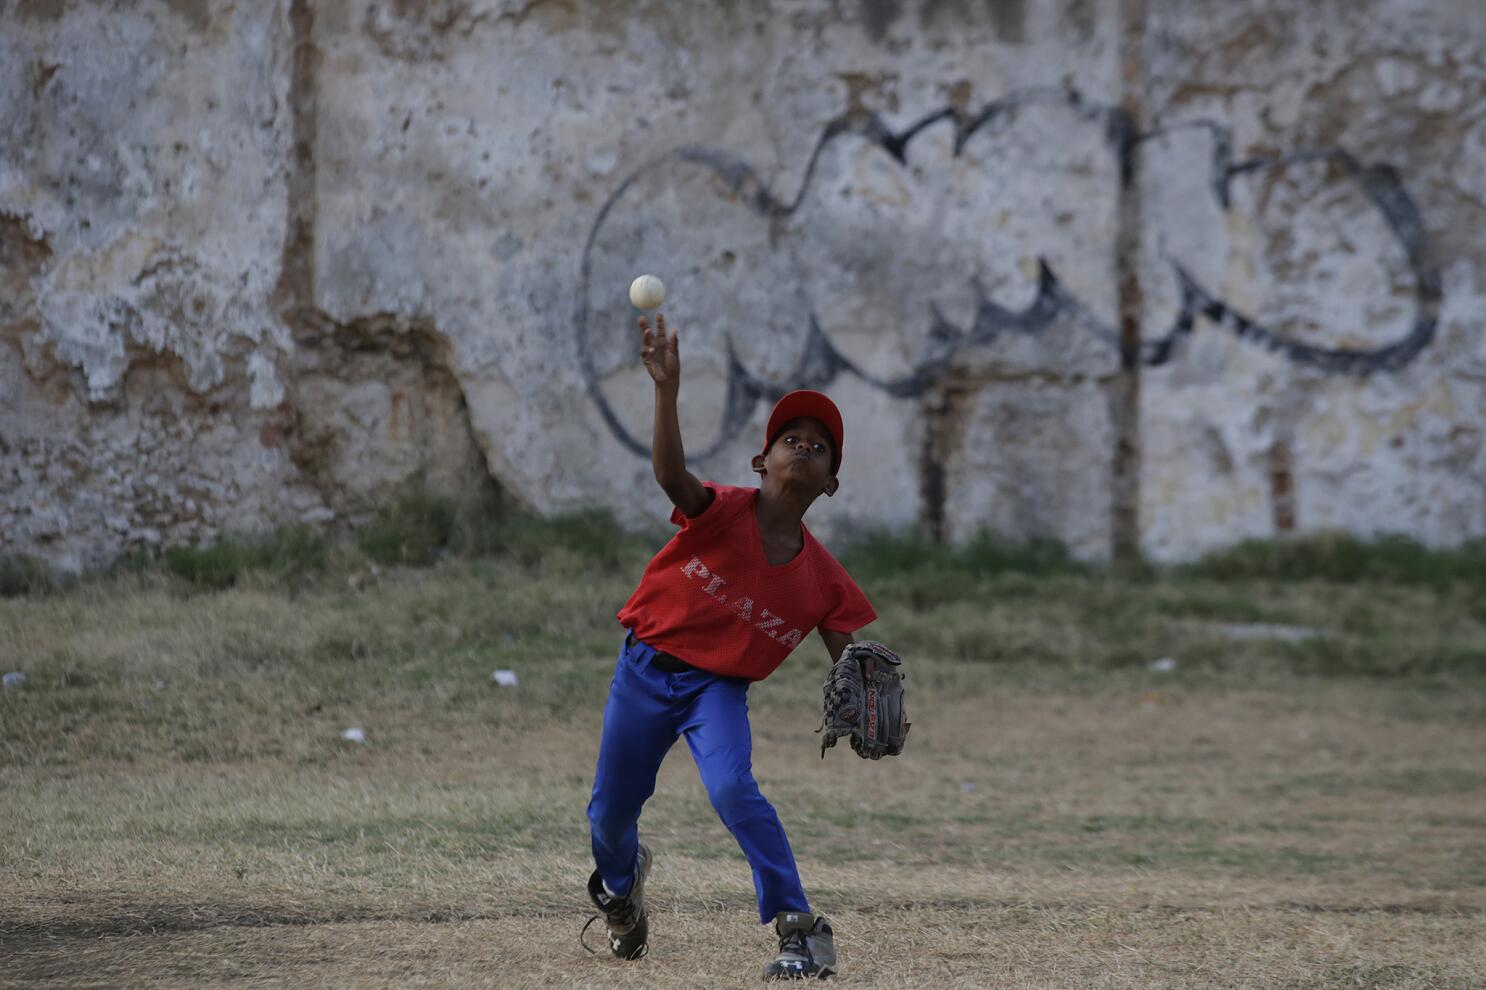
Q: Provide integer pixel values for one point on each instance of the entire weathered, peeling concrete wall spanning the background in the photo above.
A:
(271, 262)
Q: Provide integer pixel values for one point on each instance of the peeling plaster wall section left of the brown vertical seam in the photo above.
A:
(142, 213)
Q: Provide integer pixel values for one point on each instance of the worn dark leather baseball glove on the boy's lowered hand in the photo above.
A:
(864, 699)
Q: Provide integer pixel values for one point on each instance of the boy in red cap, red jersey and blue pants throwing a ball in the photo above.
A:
(721, 606)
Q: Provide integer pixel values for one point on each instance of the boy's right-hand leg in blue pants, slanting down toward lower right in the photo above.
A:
(721, 744)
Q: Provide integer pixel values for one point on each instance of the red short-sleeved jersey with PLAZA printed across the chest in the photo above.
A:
(711, 597)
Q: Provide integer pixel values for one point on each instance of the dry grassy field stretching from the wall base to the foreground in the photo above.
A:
(1300, 803)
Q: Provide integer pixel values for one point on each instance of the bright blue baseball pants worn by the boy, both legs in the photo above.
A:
(647, 711)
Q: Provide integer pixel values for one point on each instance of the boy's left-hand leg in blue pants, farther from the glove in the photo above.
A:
(638, 732)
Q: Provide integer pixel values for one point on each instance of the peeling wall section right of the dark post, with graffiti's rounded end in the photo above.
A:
(1242, 441)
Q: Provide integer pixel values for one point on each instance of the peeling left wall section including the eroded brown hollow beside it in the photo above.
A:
(154, 389)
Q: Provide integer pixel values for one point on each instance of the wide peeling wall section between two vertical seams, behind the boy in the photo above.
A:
(507, 170)
